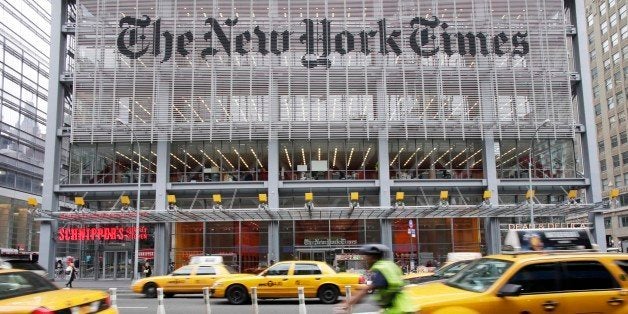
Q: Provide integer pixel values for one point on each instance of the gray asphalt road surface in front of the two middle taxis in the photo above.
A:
(193, 304)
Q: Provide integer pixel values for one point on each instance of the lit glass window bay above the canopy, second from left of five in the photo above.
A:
(220, 161)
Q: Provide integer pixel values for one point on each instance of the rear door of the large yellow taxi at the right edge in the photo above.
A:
(591, 288)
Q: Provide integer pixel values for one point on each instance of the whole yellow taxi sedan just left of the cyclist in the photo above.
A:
(282, 280)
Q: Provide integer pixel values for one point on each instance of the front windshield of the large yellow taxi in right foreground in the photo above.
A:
(479, 275)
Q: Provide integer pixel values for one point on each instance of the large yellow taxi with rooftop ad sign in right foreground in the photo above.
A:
(556, 281)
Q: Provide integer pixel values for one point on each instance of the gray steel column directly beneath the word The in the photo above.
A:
(162, 230)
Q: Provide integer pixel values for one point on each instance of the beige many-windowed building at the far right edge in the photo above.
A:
(607, 26)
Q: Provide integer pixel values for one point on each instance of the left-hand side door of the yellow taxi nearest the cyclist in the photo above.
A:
(274, 282)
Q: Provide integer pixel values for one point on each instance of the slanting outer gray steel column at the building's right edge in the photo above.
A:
(588, 138)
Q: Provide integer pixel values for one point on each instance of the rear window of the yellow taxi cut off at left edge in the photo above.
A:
(15, 284)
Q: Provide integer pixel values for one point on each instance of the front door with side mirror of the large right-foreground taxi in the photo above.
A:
(540, 291)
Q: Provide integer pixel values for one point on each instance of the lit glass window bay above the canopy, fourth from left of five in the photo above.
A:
(435, 159)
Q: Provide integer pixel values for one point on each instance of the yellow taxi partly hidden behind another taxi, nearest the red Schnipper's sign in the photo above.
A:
(185, 280)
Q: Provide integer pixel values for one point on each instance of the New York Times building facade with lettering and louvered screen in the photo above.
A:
(303, 129)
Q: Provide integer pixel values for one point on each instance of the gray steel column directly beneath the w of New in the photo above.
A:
(273, 198)
